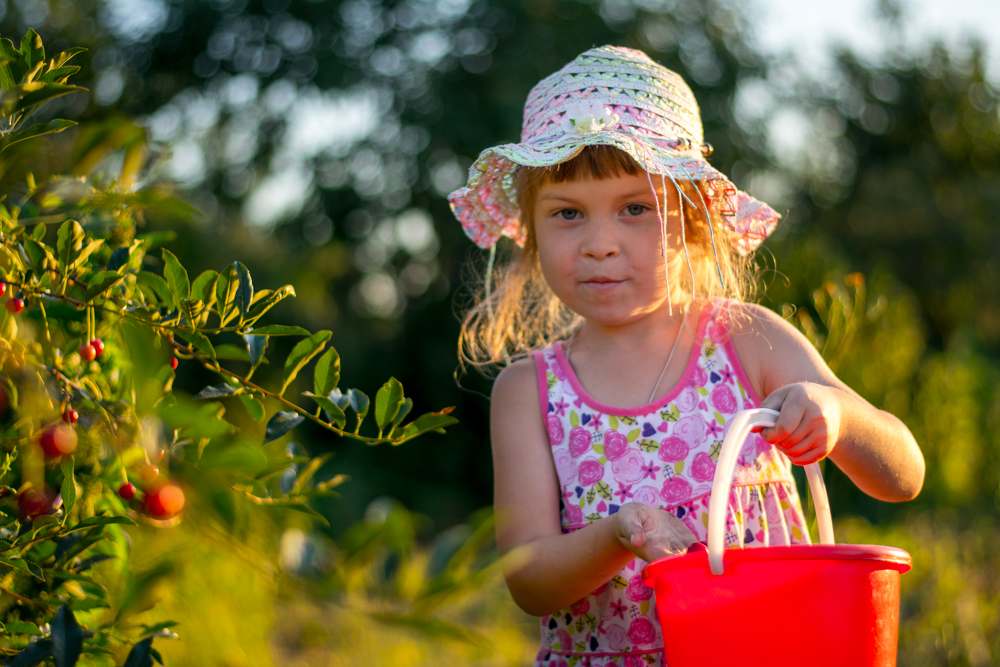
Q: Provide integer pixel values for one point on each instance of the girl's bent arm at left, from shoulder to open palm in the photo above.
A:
(545, 570)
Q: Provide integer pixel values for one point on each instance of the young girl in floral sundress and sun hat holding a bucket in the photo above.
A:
(628, 351)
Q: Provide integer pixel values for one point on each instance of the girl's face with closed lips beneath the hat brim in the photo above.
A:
(599, 246)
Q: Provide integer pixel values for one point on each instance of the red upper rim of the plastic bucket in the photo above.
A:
(893, 557)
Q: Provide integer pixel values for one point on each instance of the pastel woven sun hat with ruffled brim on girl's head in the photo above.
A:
(606, 96)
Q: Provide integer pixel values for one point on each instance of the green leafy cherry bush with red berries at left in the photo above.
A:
(60, 513)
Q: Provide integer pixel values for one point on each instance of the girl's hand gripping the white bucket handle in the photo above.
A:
(809, 424)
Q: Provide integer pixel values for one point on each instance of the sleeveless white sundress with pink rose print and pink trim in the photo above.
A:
(663, 455)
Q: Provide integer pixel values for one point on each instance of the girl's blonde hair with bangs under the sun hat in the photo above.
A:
(514, 312)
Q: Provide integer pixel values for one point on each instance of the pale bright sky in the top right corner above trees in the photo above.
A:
(810, 28)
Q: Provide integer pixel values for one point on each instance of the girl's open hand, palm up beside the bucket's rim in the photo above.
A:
(650, 533)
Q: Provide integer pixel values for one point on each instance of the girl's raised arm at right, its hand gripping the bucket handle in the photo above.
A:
(820, 415)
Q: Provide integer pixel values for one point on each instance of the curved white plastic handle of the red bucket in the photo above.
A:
(741, 426)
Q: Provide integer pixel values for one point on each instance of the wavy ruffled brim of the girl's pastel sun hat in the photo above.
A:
(487, 206)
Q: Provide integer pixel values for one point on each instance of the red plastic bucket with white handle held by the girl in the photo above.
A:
(828, 605)
